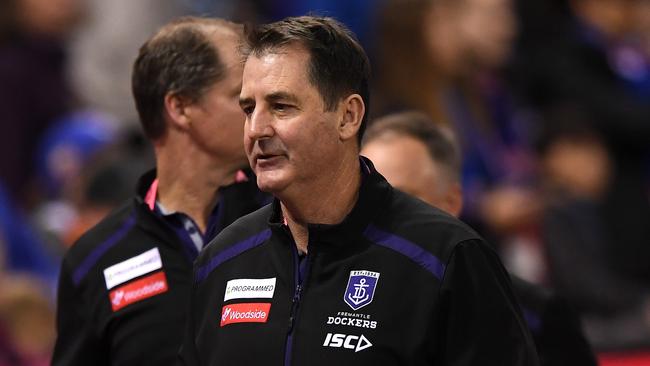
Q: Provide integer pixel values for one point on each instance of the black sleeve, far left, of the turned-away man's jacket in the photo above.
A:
(76, 343)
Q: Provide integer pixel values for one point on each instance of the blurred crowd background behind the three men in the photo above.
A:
(549, 100)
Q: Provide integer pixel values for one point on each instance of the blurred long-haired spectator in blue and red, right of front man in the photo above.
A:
(445, 59)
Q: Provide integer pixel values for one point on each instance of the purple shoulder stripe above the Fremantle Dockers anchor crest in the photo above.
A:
(413, 251)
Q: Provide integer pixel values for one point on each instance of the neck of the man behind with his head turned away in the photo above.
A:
(188, 182)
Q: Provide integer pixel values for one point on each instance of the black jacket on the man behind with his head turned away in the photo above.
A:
(139, 320)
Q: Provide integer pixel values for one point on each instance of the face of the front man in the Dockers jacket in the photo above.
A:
(290, 140)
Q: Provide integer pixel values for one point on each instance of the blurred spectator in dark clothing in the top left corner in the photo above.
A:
(33, 87)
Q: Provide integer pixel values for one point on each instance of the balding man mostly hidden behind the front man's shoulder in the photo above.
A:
(421, 159)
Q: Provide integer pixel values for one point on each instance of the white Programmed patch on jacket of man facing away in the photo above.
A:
(131, 268)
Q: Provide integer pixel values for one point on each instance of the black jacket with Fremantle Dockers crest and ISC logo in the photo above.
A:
(396, 283)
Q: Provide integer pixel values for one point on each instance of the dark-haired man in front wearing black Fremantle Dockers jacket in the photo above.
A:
(341, 268)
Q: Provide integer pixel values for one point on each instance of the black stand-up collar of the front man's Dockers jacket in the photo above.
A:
(374, 193)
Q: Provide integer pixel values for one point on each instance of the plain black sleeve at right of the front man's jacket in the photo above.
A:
(480, 320)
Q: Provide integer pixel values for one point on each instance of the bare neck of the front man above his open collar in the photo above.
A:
(327, 201)
